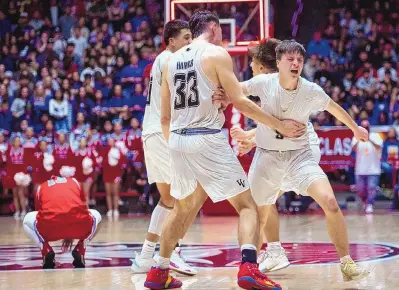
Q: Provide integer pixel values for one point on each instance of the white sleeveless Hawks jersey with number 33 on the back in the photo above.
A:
(191, 91)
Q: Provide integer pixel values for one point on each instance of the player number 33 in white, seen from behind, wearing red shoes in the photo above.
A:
(201, 158)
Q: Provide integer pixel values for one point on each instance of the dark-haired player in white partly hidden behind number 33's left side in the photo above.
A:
(176, 35)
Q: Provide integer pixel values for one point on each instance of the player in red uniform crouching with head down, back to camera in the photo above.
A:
(61, 214)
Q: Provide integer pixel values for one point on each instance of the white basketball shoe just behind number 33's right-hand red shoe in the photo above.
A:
(273, 260)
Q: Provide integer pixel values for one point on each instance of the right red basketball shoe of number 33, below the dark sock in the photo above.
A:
(249, 277)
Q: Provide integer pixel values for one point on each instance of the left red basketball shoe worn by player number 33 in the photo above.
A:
(159, 278)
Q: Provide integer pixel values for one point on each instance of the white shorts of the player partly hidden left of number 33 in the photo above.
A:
(157, 158)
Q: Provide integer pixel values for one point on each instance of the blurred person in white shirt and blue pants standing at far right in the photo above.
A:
(368, 167)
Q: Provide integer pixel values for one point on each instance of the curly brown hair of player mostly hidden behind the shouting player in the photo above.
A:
(265, 52)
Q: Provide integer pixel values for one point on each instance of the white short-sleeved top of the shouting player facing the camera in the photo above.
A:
(285, 105)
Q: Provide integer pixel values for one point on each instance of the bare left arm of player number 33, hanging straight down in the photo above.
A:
(165, 104)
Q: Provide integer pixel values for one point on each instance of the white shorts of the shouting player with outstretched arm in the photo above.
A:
(269, 170)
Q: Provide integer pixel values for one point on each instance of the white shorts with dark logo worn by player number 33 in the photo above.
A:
(209, 160)
